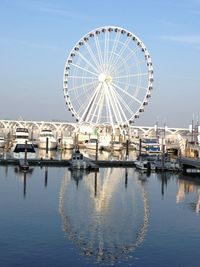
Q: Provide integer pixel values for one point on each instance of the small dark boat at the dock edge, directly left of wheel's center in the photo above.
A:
(78, 161)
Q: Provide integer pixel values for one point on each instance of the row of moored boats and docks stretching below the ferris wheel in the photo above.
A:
(138, 148)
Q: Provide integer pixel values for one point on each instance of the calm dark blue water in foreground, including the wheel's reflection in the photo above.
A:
(120, 217)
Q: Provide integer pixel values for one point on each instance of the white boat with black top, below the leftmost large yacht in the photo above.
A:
(24, 150)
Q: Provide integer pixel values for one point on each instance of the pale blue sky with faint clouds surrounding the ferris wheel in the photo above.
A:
(37, 35)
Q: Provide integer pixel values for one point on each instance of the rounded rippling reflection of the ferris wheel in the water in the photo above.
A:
(105, 217)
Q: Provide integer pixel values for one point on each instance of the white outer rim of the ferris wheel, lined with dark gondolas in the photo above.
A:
(100, 77)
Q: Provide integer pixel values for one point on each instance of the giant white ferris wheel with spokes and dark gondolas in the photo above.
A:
(108, 77)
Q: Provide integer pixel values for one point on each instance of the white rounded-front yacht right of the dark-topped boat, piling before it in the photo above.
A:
(47, 138)
